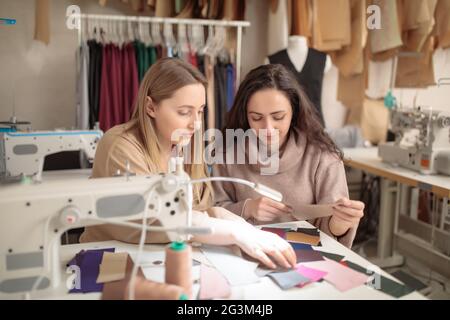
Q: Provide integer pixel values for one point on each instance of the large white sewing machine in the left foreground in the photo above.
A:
(33, 218)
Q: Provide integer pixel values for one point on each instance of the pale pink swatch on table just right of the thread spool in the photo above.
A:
(213, 284)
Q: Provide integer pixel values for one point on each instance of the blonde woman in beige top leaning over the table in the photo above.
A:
(172, 98)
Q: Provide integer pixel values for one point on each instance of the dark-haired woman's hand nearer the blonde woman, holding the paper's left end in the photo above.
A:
(265, 210)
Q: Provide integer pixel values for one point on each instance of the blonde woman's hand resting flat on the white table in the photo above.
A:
(262, 244)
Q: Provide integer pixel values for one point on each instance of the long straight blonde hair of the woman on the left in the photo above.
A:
(159, 83)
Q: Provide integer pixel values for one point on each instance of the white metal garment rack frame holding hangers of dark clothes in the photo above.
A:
(158, 20)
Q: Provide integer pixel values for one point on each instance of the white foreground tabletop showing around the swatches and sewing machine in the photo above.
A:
(265, 289)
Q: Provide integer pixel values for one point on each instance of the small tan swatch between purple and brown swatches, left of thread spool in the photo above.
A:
(113, 267)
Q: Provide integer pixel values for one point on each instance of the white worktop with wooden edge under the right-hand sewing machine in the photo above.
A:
(367, 159)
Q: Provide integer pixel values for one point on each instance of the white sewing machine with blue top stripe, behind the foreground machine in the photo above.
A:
(23, 153)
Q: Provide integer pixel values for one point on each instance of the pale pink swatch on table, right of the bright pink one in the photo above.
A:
(342, 277)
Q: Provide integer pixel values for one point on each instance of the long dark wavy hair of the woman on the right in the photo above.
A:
(304, 116)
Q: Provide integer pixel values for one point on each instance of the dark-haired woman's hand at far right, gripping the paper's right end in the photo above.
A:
(346, 214)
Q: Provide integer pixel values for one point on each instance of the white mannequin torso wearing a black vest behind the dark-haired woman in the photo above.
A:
(308, 65)
